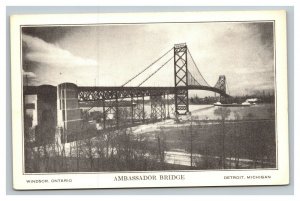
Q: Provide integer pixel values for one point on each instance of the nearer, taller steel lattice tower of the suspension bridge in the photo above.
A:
(181, 79)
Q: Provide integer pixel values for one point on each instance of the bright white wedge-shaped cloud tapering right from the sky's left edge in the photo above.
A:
(42, 52)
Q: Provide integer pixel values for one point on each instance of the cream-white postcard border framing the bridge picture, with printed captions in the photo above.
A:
(279, 176)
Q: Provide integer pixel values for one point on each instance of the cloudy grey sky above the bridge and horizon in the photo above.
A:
(110, 54)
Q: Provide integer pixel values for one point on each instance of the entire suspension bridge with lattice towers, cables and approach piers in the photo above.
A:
(66, 105)
